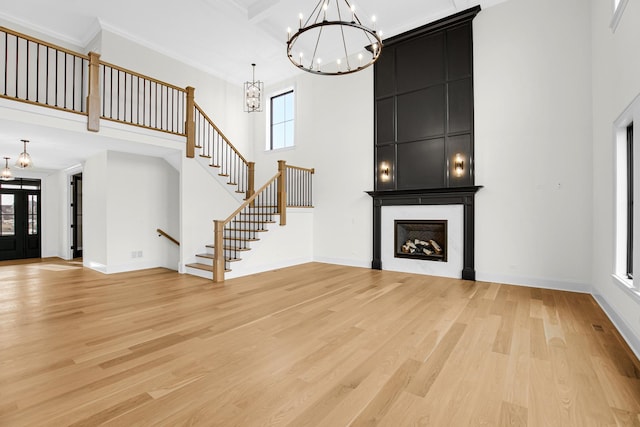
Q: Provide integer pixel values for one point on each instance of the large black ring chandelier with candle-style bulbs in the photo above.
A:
(333, 41)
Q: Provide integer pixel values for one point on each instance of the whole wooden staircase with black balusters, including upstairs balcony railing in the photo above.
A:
(102, 91)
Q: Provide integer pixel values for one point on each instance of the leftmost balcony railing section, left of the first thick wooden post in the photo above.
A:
(37, 72)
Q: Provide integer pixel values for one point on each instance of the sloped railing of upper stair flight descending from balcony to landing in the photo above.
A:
(221, 153)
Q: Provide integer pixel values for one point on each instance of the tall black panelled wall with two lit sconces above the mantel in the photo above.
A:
(423, 88)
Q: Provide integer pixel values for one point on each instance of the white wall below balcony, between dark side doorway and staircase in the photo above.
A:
(126, 198)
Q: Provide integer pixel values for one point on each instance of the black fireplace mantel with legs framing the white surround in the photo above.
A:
(433, 196)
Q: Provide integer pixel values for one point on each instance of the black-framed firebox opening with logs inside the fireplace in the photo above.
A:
(421, 239)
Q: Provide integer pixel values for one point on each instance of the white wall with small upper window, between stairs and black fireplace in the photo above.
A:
(334, 135)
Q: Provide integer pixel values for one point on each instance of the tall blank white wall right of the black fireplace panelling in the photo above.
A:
(532, 84)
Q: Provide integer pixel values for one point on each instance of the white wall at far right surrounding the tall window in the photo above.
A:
(616, 82)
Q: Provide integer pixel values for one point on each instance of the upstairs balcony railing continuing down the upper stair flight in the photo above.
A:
(41, 73)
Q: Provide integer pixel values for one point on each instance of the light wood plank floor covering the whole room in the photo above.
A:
(316, 344)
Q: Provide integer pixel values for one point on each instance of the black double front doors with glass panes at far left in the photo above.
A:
(20, 219)
